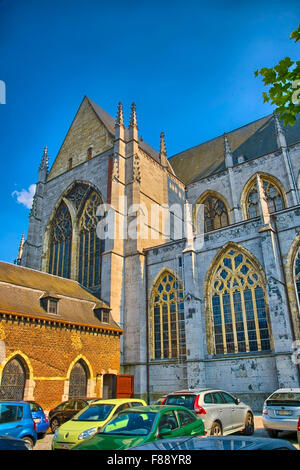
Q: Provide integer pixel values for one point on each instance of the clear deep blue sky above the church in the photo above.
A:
(189, 66)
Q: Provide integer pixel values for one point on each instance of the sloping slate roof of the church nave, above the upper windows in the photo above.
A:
(252, 140)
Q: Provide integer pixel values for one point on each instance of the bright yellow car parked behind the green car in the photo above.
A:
(85, 423)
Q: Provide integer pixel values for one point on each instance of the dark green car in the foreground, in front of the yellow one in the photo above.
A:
(143, 424)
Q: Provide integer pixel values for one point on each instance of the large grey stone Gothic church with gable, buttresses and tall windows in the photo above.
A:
(209, 306)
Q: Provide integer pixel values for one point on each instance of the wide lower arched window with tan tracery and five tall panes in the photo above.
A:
(238, 306)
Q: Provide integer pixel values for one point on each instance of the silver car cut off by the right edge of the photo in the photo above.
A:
(281, 411)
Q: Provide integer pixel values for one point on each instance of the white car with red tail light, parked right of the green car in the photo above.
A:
(220, 411)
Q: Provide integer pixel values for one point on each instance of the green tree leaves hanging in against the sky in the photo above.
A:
(284, 82)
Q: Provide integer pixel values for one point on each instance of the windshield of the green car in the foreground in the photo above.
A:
(134, 423)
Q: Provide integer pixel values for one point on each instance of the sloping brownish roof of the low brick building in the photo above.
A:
(21, 291)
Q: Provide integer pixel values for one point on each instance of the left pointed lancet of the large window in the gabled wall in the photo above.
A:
(61, 243)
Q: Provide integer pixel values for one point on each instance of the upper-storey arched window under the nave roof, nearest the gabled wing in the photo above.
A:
(215, 213)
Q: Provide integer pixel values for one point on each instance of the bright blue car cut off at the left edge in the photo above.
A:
(16, 421)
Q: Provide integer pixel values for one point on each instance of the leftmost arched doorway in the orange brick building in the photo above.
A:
(13, 381)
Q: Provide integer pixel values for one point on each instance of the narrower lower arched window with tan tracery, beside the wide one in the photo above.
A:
(167, 329)
